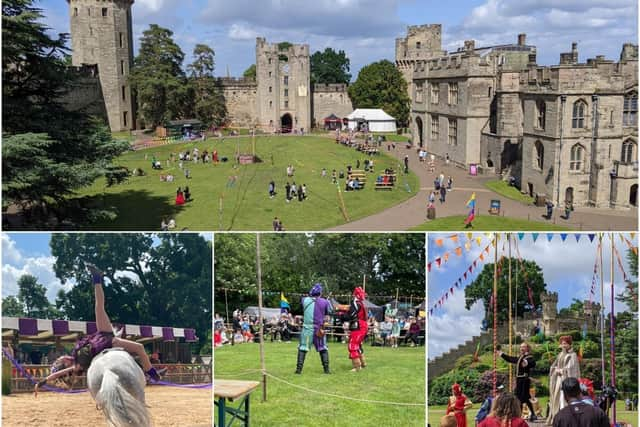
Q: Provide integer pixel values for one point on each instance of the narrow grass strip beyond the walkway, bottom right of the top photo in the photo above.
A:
(487, 223)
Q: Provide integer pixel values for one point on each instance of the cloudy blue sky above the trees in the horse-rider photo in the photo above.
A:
(29, 253)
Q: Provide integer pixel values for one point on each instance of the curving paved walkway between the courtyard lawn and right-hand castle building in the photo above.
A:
(412, 212)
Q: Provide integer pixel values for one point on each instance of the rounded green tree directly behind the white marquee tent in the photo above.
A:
(381, 85)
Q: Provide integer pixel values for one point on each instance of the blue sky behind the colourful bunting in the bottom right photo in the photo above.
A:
(567, 269)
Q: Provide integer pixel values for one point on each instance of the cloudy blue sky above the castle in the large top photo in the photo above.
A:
(366, 29)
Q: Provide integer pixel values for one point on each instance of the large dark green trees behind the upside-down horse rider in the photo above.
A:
(163, 280)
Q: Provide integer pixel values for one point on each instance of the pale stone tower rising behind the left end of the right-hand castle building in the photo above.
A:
(421, 43)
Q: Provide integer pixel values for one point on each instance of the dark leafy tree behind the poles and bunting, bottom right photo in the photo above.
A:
(529, 275)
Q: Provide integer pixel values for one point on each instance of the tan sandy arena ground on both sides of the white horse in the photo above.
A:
(169, 406)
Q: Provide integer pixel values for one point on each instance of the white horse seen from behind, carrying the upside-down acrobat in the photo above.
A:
(117, 384)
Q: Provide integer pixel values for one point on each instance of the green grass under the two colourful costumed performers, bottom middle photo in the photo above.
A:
(393, 375)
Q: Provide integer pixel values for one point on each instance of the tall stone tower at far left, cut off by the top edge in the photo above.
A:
(101, 35)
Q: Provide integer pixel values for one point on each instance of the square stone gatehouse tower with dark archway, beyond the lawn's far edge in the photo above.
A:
(283, 85)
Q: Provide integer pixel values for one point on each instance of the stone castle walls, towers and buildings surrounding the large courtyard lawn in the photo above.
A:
(567, 131)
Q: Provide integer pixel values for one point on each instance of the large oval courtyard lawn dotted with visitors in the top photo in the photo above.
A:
(230, 197)
